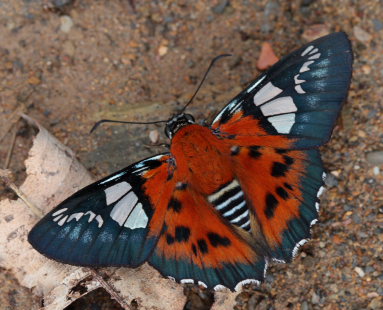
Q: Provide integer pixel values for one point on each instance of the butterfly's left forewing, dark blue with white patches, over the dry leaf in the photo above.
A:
(108, 223)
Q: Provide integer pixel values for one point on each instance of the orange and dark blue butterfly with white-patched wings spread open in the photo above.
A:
(229, 197)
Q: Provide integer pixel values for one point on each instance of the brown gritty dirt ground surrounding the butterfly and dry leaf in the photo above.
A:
(71, 65)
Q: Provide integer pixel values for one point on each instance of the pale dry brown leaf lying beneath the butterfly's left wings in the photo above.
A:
(53, 173)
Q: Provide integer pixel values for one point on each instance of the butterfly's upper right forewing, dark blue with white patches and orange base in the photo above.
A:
(296, 102)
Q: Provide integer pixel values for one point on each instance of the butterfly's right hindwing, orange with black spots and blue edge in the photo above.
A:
(283, 190)
